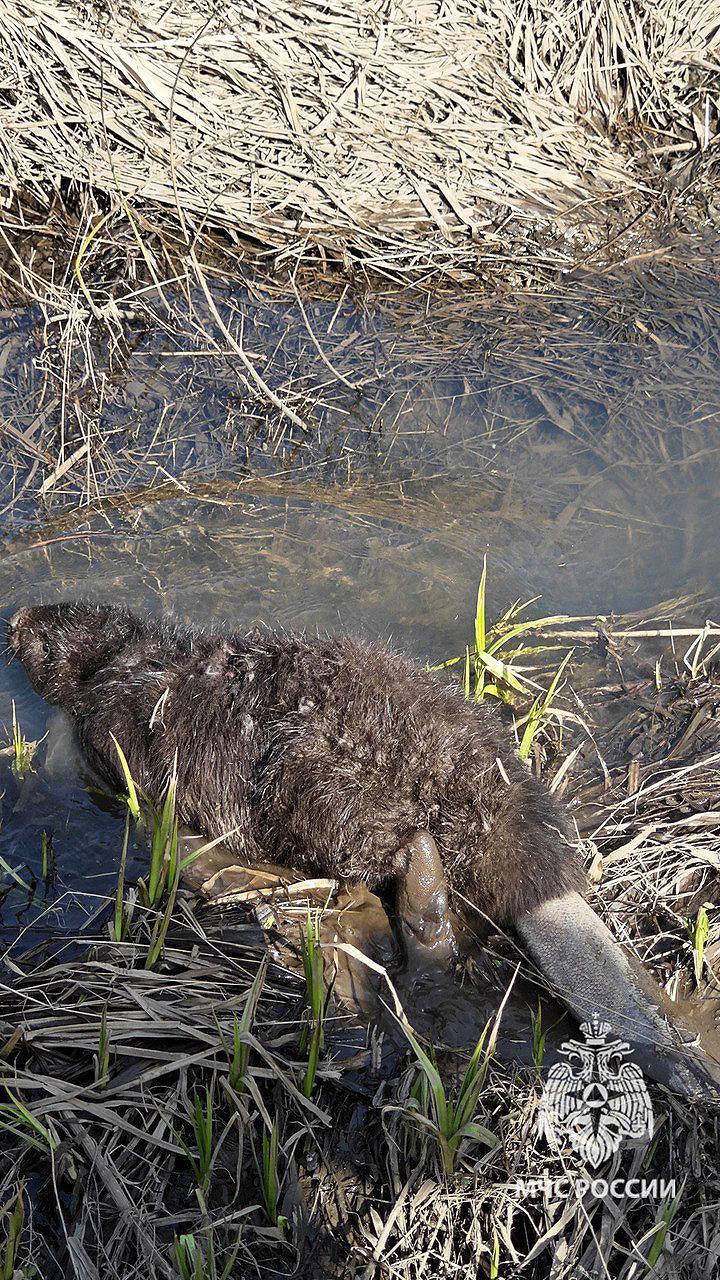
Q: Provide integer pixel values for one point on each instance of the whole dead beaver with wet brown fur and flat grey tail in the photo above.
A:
(343, 758)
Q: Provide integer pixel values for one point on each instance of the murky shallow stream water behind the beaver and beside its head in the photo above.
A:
(575, 440)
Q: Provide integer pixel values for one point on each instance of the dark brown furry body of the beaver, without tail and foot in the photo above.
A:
(321, 753)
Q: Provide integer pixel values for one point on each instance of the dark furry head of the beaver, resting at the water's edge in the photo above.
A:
(62, 646)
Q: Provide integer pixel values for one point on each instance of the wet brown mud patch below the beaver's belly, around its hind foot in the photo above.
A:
(450, 1008)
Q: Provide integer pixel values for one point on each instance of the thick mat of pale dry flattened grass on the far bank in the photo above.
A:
(408, 136)
